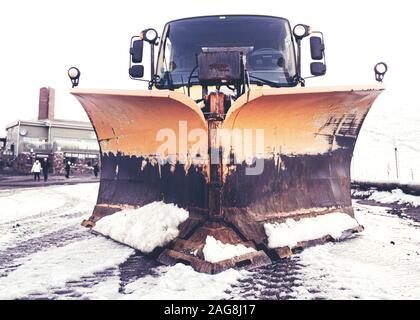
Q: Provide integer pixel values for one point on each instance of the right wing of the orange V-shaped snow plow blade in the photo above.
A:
(309, 137)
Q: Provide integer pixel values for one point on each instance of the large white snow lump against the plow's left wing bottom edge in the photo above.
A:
(146, 228)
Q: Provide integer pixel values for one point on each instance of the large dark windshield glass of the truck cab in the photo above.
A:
(265, 41)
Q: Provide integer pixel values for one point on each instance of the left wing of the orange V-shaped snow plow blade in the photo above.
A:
(128, 125)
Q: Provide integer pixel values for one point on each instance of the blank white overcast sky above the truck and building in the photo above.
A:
(41, 39)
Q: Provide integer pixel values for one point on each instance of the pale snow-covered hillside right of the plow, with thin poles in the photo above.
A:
(390, 125)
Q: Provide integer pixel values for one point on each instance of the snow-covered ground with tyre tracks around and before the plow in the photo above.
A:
(46, 254)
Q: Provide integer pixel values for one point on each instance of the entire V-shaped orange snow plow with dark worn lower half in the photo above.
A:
(278, 156)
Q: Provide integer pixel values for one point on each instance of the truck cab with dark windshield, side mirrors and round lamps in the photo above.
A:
(228, 53)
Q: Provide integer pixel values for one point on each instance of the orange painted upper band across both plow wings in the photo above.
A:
(294, 119)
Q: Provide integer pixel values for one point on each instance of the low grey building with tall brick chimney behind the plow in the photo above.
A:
(57, 140)
